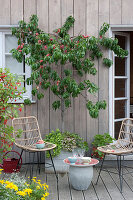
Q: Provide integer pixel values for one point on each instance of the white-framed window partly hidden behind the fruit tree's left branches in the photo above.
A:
(8, 42)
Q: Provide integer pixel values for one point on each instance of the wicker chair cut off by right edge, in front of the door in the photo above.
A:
(122, 147)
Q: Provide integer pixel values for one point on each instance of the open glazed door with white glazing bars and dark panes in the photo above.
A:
(119, 85)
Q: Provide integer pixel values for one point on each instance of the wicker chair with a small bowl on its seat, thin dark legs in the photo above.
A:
(28, 138)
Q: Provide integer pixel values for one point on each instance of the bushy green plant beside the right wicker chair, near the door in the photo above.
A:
(100, 140)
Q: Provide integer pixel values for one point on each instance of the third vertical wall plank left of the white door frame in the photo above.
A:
(80, 104)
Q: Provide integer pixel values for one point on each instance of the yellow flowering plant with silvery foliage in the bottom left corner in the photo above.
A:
(17, 188)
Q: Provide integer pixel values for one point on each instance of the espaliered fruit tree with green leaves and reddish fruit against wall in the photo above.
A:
(43, 51)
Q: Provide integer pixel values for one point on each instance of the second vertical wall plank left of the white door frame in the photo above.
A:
(92, 29)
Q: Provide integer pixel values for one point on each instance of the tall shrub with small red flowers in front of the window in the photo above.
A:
(10, 91)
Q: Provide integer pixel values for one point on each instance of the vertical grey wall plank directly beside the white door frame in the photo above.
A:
(103, 71)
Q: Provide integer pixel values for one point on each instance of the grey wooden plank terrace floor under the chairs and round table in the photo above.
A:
(106, 189)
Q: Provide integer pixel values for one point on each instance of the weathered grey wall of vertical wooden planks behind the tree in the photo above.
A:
(89, 16)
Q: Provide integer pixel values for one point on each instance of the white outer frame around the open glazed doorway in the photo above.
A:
(116, 28)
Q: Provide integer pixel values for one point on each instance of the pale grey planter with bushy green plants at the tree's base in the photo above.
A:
(65, 142)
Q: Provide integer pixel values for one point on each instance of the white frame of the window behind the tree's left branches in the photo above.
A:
(6, 30)
